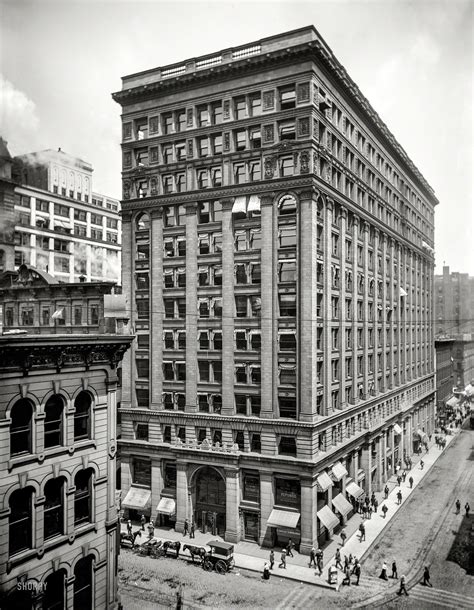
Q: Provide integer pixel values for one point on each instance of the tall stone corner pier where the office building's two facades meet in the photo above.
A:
(307, 298)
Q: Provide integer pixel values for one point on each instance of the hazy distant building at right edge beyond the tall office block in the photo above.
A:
(454, 303)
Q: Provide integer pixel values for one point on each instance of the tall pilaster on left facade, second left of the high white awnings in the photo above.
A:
(191, 308)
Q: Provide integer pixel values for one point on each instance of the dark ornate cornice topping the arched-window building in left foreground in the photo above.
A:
(60, 353)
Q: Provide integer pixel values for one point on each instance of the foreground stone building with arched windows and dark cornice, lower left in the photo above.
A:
(58, 515)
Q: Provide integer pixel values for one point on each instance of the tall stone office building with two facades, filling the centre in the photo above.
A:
(277, 258)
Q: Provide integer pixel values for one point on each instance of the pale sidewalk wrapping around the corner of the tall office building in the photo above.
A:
(250, 556)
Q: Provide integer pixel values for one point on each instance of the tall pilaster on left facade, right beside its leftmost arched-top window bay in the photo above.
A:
(156, 309)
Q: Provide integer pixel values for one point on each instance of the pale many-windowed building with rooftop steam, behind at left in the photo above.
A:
(62, 226)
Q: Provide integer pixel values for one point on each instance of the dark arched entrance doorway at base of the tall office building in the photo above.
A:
(209, 504)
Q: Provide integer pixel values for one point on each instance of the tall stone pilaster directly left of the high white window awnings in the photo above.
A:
(228, 308)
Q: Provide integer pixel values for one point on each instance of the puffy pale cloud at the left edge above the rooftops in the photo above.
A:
(18, 117)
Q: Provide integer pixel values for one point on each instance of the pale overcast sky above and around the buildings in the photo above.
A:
(61, 60)
